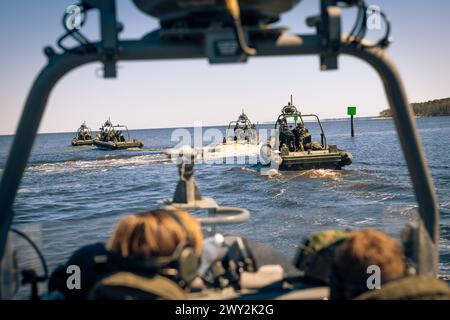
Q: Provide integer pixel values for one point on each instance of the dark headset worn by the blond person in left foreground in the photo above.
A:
(181, 266)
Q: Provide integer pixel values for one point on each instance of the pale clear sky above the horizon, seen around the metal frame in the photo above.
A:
(173, 93)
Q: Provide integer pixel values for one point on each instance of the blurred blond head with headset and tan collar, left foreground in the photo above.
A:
(154, 255)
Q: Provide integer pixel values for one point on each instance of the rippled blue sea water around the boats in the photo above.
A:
(71, 196)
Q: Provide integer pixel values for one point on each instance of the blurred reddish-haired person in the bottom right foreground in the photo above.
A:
(367, 254)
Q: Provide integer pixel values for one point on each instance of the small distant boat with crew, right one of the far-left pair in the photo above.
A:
(111, 137)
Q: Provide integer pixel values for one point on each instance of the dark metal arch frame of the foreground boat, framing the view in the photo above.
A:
(328, 43)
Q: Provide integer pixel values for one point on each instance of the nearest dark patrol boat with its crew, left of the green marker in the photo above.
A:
(294, 149)
